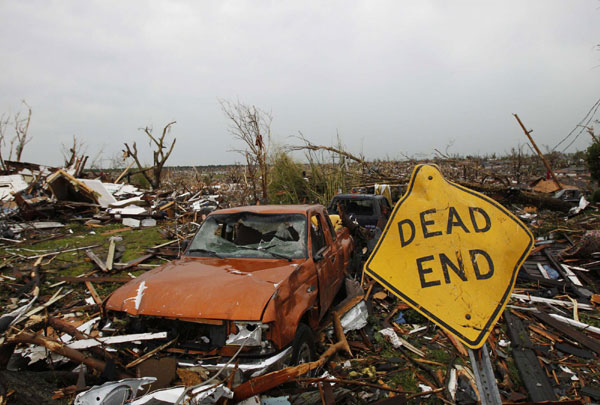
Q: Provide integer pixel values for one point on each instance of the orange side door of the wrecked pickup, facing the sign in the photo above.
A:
(326, 262)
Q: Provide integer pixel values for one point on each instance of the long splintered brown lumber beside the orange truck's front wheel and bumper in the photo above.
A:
(268, 381)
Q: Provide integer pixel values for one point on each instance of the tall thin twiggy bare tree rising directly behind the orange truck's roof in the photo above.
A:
(252, 126)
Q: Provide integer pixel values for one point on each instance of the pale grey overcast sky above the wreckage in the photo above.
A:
(394, 78)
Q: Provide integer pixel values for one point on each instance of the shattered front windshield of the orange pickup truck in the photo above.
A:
(249, 235)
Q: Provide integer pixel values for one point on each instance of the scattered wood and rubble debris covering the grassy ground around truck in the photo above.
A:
(68, 241)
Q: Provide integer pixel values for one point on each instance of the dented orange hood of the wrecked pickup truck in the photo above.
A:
(204, 288)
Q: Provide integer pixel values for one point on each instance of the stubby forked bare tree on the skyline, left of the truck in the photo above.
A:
(160, 154)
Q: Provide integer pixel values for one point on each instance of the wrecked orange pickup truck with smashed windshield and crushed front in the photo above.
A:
(254, 283)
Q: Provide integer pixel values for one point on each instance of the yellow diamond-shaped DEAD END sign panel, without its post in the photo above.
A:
(452, 254)
